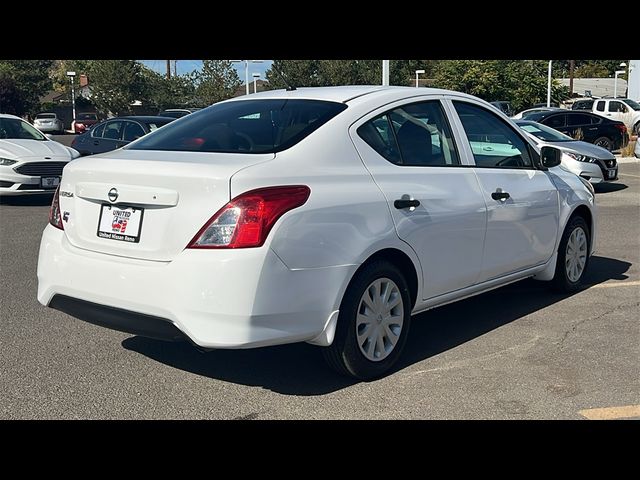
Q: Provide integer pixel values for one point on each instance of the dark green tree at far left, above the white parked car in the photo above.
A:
(31, 81)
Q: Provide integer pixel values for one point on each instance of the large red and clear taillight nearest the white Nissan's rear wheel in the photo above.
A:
(246, 220)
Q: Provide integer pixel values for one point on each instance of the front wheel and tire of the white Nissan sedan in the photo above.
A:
(573, 256)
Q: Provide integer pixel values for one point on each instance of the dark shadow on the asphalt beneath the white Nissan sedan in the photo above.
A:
(299, 369)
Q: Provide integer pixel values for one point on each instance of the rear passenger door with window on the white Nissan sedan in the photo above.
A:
(436, 203)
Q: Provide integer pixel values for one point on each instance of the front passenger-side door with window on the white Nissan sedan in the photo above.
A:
(522, 201)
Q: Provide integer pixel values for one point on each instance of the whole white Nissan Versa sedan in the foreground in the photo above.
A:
(320, 215)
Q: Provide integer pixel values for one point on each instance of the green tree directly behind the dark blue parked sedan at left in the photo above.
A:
(115, 84)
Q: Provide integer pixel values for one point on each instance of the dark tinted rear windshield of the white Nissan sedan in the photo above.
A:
(248, 126)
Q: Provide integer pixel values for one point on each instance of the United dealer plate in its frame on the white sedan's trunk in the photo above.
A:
(120, 223)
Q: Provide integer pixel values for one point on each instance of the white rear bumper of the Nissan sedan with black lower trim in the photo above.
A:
(238, 298)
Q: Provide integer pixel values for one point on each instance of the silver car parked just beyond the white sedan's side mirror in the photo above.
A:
(586, 160)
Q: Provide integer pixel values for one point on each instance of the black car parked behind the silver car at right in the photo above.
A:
(601, 131)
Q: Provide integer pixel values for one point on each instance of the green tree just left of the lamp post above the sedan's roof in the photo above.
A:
(217, 81)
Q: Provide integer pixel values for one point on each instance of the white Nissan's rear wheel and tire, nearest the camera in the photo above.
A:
(352, 353)
